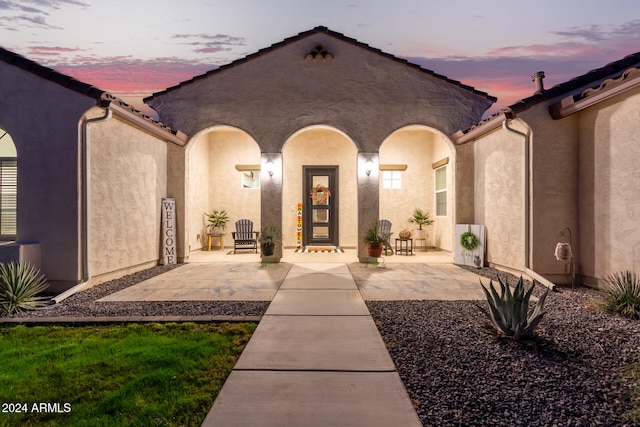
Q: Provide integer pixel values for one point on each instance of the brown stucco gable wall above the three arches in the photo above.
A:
(360, 92)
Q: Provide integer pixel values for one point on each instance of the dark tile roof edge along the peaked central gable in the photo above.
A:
(331, 33)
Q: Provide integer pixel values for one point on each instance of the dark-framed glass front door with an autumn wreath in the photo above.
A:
(320, 207)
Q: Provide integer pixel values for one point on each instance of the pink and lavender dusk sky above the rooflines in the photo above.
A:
(133, 48)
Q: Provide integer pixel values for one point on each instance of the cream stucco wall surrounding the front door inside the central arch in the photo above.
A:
(320, 146)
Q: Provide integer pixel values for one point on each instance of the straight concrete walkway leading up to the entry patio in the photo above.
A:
(316, 359)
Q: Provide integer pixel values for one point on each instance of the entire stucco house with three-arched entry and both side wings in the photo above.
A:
(319, 113)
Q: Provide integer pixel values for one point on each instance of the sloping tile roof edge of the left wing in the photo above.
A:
(103, 99)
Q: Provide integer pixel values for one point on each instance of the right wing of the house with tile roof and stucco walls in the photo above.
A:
(566, 165)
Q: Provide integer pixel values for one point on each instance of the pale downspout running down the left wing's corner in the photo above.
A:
(86, 229)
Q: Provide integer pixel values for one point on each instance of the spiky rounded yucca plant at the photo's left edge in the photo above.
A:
(20, 284)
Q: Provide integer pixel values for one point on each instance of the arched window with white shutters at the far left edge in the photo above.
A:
(8, 186)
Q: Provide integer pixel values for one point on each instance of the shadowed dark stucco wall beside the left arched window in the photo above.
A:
(43, 119)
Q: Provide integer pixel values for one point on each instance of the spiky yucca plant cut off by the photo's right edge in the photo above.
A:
(623, 294)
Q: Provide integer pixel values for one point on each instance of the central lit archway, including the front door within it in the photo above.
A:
(311, 152)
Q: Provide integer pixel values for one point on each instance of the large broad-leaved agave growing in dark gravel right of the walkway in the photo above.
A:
(509, 312)
